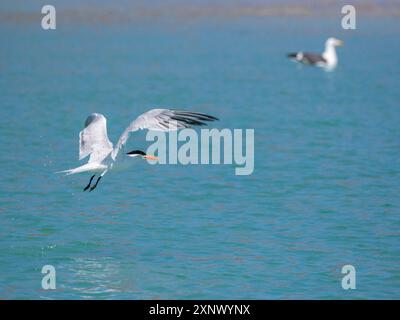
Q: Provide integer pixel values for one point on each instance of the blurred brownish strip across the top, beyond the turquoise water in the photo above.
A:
(89, 11)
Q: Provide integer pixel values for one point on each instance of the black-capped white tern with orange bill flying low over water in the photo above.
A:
(94, 142)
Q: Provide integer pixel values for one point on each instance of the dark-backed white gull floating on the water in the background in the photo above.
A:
(327, 59)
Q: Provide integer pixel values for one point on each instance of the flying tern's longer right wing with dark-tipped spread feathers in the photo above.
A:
(162, 120)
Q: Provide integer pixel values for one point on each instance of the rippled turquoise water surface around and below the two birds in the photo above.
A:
(324, 193)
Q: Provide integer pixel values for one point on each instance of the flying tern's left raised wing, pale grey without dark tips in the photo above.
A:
(93, 139)
